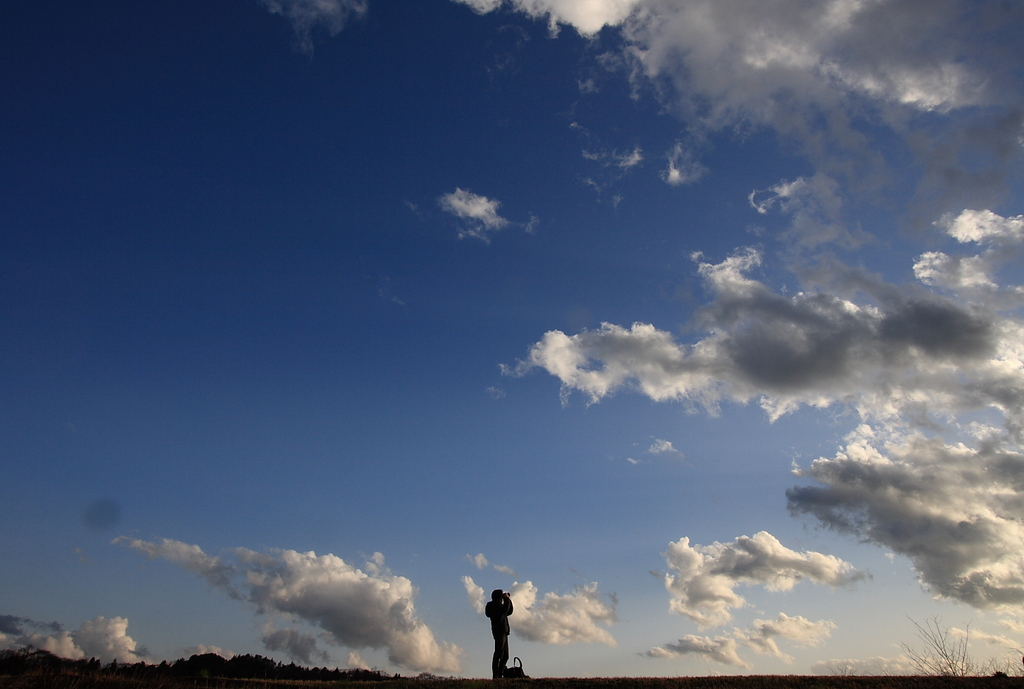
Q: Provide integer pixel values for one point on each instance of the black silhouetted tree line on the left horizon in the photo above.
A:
(247, 667)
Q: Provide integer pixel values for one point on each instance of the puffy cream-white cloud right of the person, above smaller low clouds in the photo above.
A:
(702, 580)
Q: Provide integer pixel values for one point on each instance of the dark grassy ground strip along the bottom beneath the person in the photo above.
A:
(70, 681)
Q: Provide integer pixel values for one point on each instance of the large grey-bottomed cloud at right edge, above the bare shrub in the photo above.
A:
(953, 510)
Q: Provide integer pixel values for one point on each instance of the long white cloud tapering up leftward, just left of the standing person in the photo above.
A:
(358, 609)
